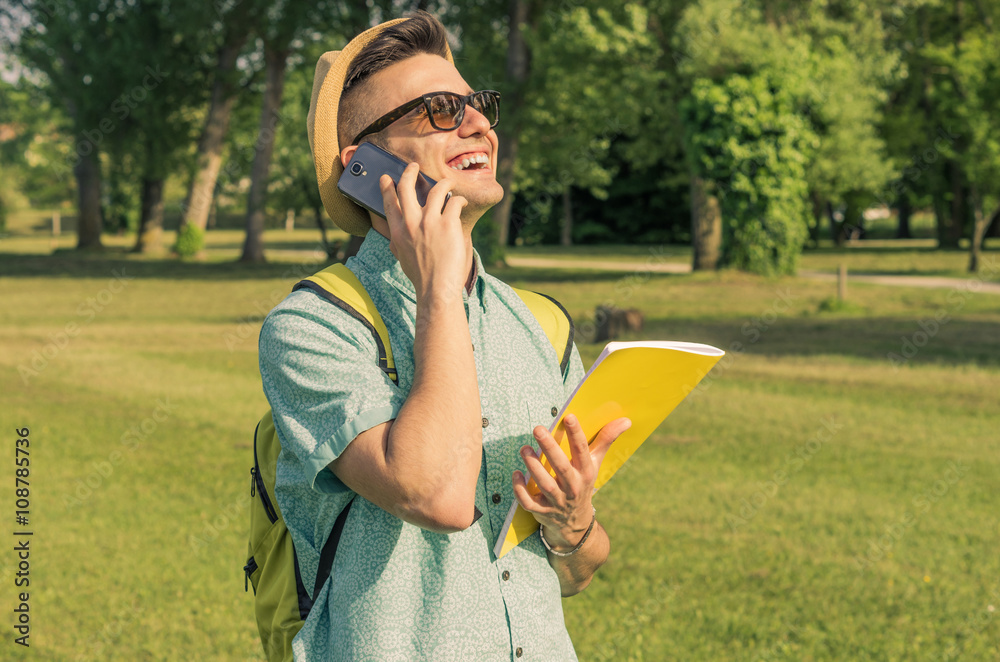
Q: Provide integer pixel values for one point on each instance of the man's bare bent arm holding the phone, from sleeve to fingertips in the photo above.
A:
(423, 466)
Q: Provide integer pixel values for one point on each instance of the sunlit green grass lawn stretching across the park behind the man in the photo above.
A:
(814, 500)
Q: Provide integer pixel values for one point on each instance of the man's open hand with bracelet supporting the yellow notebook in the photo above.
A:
(563, 503)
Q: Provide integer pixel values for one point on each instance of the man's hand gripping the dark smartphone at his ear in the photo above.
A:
(428, 241)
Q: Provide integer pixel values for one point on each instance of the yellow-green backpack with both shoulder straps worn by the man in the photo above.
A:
(281, 600)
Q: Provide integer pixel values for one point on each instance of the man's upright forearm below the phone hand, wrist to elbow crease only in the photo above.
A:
(435, 443)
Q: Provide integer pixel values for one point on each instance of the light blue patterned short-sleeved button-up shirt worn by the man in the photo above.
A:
(399, 593)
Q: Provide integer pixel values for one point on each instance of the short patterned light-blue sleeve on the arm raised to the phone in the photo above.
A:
(320, 373)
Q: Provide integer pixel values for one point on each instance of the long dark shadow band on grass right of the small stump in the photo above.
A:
(913, 341)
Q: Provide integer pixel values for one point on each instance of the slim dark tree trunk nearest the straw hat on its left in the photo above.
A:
(275, 61)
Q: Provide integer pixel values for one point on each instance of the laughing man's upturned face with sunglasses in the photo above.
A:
(441, 154)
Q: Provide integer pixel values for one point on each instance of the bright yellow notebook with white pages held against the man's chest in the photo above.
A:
(643, 381)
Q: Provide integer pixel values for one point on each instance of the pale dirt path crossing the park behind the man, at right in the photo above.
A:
(972, 284)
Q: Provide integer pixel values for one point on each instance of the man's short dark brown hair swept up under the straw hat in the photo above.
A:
(420, 34)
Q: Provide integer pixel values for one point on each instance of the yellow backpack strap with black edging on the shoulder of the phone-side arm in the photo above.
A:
(338, 285)
